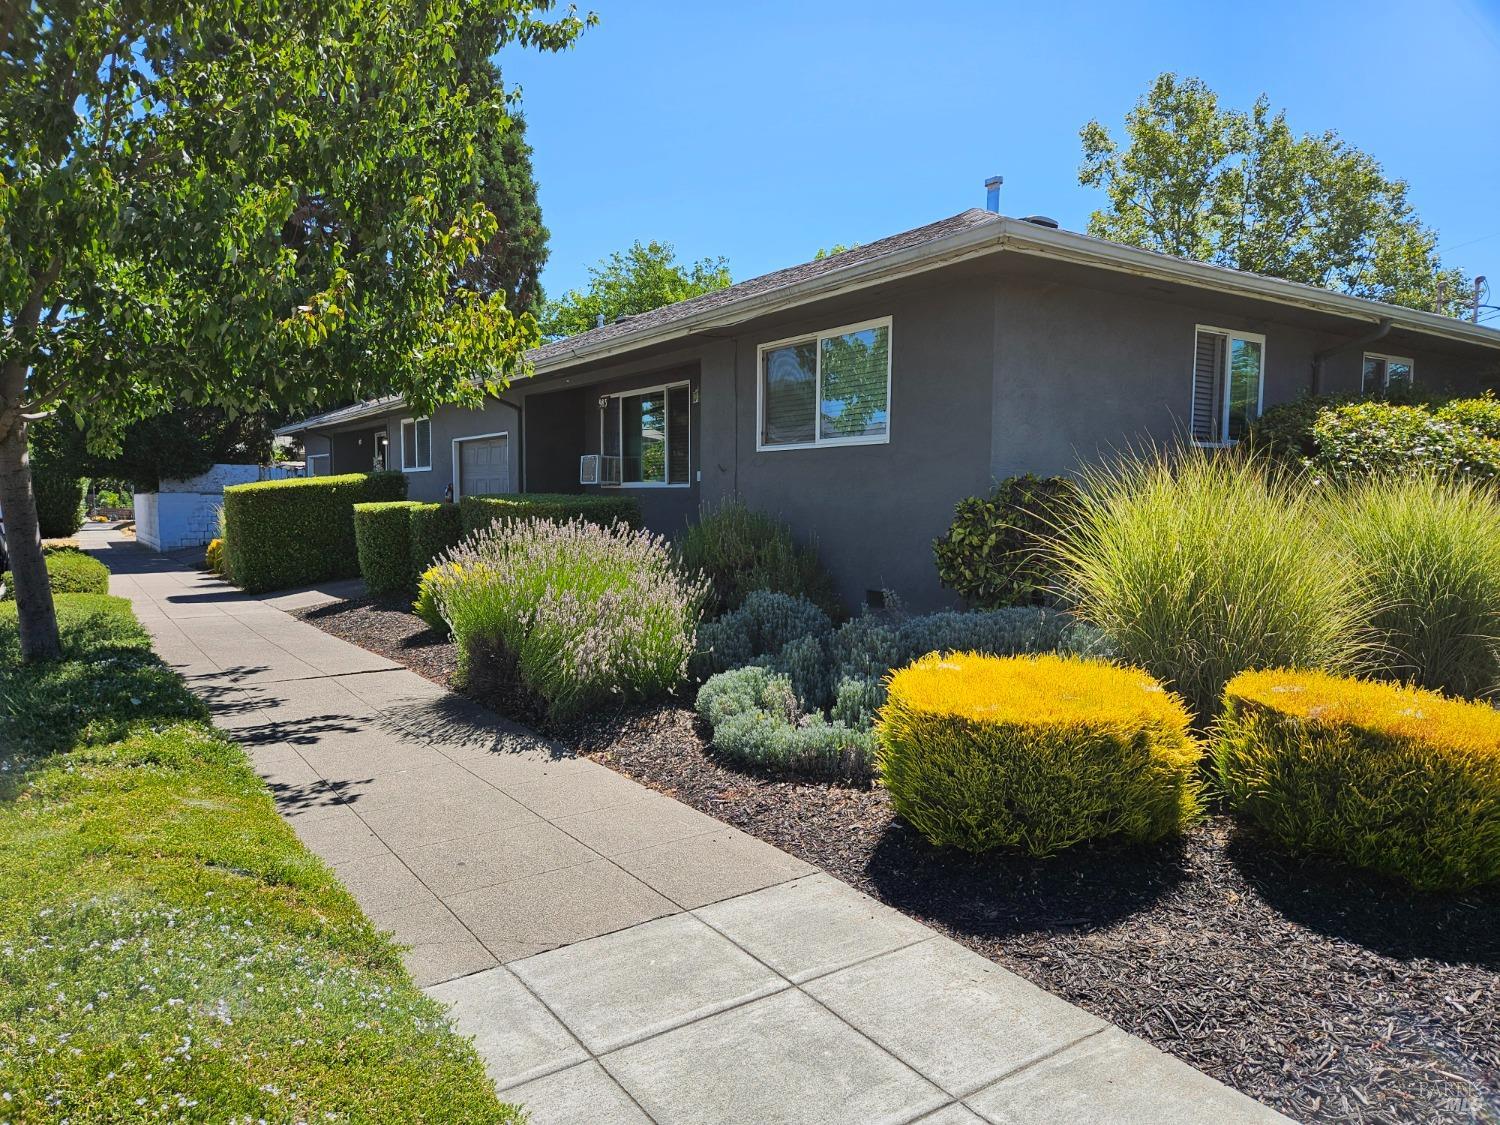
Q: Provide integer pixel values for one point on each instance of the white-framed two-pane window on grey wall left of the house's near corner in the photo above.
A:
(827, 389)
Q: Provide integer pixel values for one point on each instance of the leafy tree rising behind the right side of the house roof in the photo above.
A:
(1241, 190)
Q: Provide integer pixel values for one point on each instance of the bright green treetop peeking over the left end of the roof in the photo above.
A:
(632, 281)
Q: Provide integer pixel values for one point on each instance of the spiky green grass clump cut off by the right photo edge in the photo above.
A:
(1427, 553)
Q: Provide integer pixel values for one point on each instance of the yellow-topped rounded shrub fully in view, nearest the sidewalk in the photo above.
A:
(1036, 754)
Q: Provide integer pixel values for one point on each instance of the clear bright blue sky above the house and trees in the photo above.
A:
(763, 131)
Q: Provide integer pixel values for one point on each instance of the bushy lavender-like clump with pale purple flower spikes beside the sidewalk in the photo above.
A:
(572, 614)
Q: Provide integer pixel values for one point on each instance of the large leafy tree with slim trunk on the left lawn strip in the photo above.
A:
(250, 206)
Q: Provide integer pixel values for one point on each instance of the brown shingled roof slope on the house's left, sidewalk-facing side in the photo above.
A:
(757, 287)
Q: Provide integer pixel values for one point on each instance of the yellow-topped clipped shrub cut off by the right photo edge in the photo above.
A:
(1390, 778)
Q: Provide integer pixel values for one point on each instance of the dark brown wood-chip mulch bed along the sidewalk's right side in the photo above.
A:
(1316, 989)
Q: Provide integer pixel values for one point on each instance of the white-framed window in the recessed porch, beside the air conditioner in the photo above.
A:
(647, 437)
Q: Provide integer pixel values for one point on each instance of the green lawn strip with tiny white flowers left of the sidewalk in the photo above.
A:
(169, 950)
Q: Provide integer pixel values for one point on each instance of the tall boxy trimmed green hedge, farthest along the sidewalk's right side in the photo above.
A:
(289, 533)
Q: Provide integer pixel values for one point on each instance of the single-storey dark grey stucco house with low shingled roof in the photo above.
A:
(863, 395)
